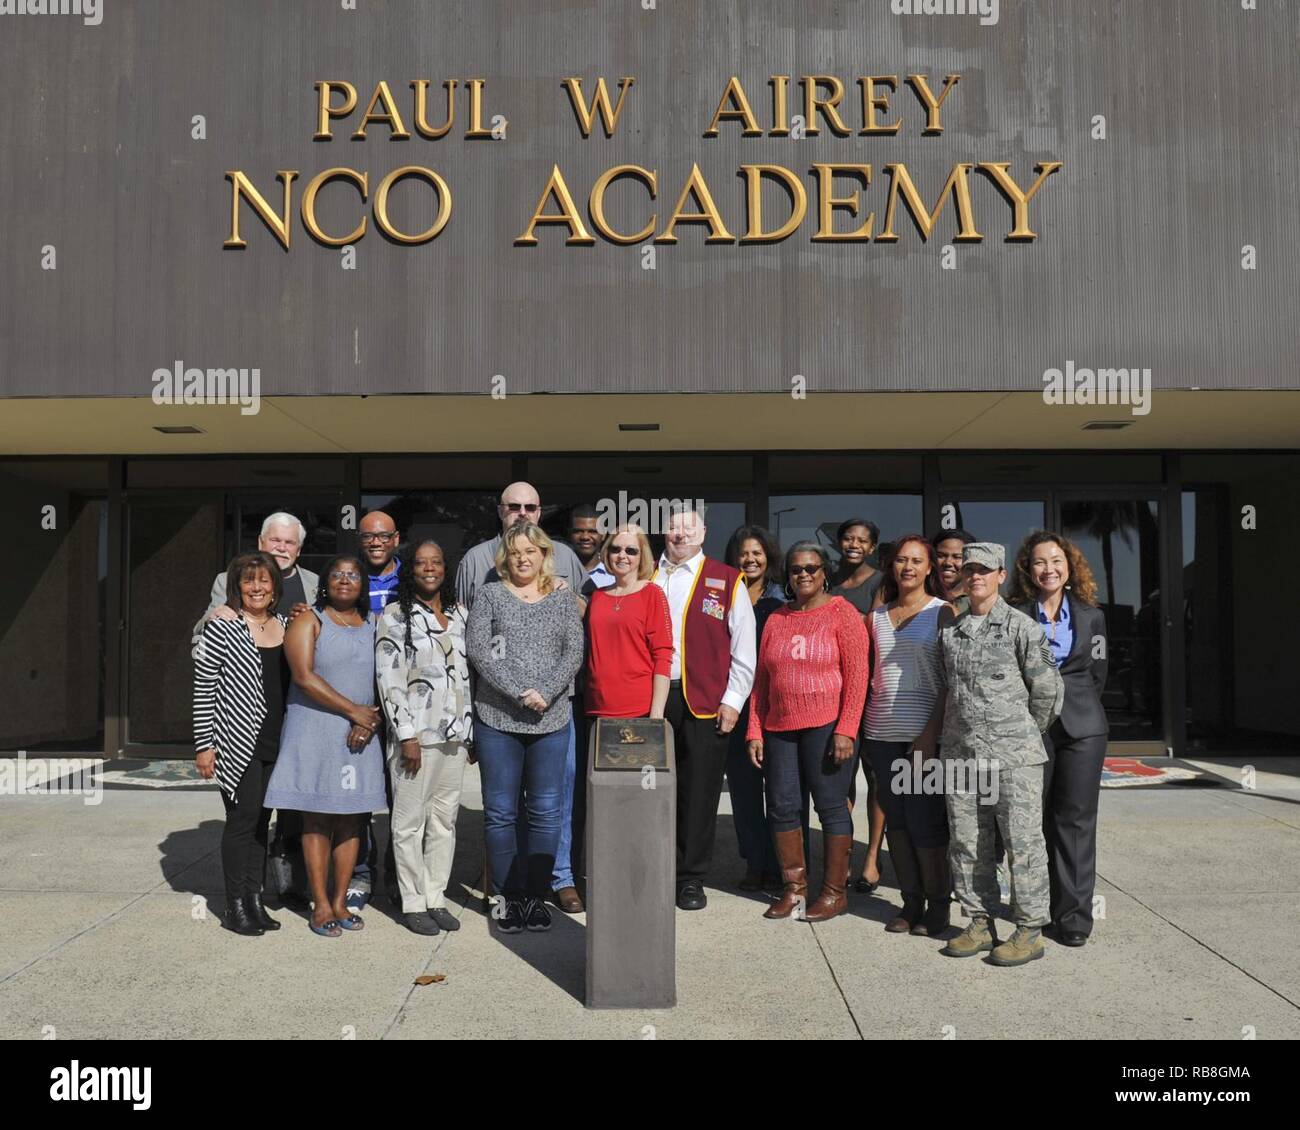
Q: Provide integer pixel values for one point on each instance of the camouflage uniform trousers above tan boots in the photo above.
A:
(972, 852)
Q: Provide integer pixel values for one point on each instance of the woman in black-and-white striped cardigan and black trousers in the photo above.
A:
(240, 685)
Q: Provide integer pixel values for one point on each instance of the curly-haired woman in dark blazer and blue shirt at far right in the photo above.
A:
(1055, 588)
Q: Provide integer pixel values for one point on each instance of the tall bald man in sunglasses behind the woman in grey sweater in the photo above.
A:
(521, 503)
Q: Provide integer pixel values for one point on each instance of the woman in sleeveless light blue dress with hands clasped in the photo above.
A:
(331, 767)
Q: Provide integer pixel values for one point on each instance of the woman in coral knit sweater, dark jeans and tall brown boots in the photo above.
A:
(804, 716)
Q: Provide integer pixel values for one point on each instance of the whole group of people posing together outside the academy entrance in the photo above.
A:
(375, 685)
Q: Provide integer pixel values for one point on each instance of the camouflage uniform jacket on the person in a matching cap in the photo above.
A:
(1003, 690)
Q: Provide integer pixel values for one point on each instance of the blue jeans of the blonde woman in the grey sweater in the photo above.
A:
(508, 761)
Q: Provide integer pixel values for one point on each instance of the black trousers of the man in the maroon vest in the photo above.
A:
(701, 754)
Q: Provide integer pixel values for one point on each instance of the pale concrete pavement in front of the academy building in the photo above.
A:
(109, 929)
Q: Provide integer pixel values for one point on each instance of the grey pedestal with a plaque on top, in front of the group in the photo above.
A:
(631, 865)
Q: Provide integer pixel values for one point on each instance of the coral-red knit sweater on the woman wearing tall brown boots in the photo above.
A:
(813, 669)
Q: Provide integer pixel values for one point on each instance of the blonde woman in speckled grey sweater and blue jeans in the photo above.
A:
(525, 639)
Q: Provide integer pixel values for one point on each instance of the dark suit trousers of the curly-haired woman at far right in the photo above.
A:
(1072, 789)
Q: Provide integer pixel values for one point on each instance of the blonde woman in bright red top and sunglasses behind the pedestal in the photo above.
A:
(629, 634)
